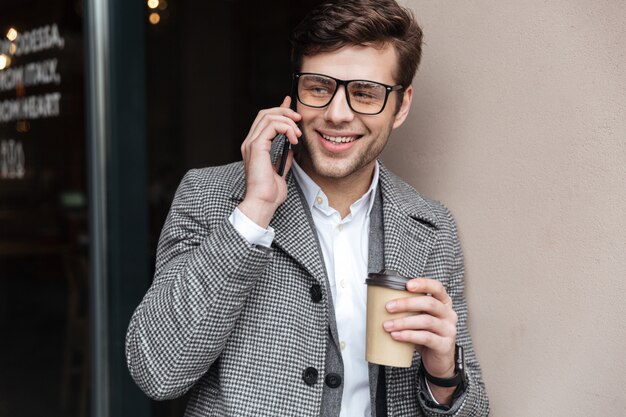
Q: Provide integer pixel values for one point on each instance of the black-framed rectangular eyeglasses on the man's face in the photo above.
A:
(363, 96)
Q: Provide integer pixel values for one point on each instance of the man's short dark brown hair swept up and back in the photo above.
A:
(338, 23)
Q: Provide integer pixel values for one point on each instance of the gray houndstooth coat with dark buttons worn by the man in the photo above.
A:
(236, 324)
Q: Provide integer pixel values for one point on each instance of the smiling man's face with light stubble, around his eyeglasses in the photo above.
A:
(338, 143)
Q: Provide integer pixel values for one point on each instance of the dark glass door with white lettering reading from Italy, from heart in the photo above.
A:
(44, 356)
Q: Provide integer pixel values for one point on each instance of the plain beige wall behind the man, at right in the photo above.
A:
(519, 126)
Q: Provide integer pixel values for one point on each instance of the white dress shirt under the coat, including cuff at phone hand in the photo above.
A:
(344, 244)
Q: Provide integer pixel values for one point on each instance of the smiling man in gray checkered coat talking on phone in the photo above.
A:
(258, 302)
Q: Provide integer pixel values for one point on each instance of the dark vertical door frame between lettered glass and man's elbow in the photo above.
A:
(118, 199)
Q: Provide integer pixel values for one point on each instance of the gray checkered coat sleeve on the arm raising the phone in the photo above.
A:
(204, 271)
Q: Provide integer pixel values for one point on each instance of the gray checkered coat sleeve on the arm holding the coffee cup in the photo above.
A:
(474, 401)
